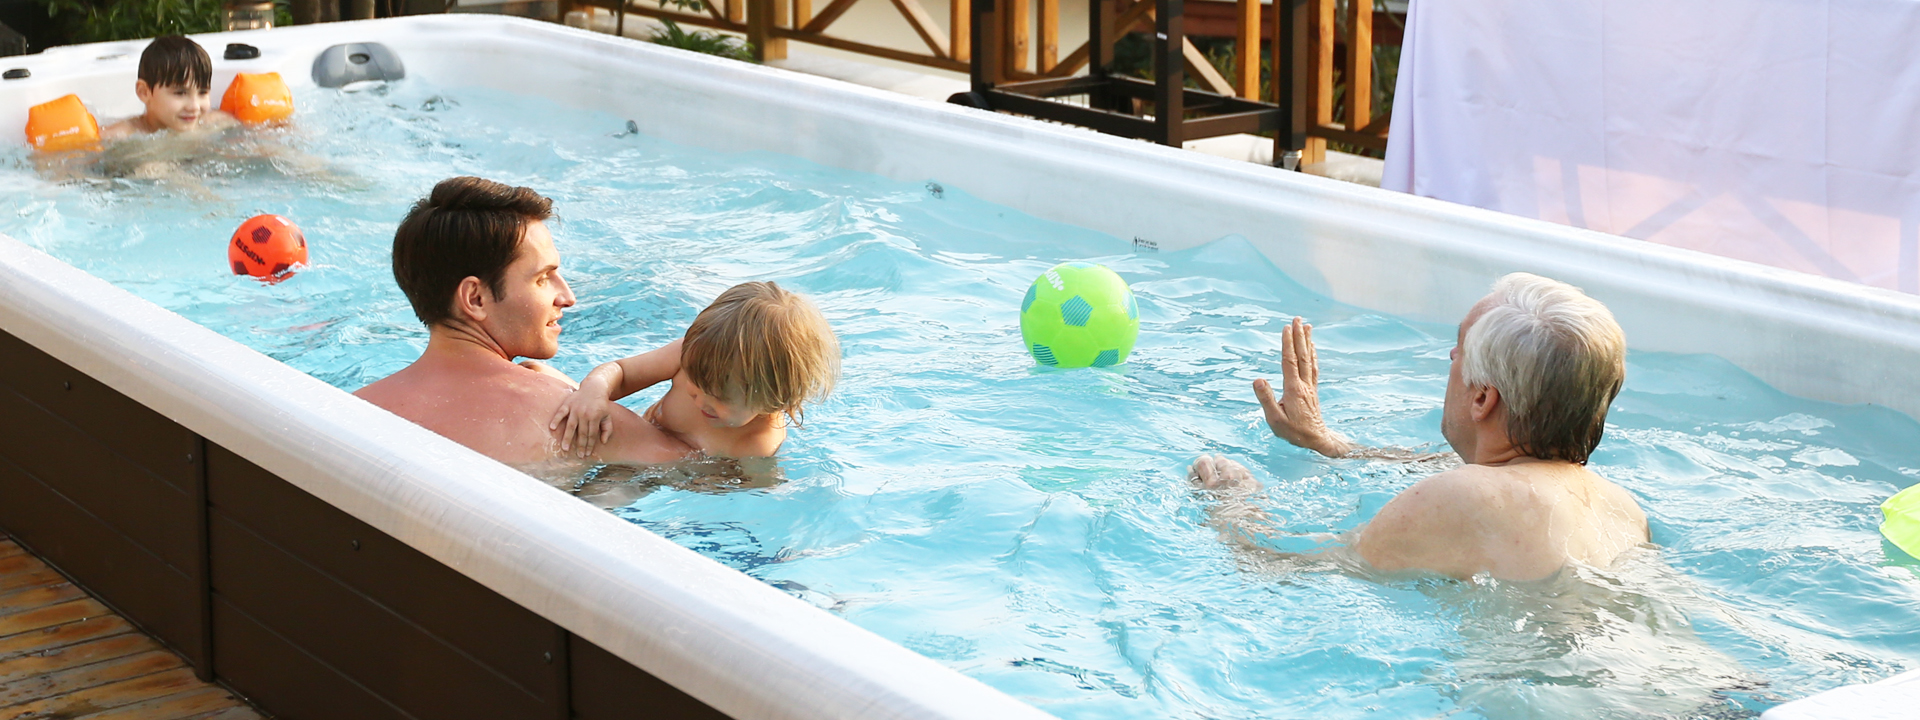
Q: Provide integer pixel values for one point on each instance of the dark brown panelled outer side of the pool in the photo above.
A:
(293, 604)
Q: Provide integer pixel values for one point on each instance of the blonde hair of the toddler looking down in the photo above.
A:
(763, 347)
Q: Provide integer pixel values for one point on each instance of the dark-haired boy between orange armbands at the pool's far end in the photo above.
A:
(178, 89)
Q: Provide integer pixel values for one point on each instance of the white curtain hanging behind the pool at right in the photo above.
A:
(1777, 132)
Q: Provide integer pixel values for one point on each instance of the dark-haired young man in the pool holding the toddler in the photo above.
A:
(479, 268)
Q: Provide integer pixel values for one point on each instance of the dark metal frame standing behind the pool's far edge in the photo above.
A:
(1111, 97)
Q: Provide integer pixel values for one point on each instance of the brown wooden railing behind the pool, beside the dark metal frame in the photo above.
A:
(1328, 43)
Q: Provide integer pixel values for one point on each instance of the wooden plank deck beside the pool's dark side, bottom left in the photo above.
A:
(68, 658)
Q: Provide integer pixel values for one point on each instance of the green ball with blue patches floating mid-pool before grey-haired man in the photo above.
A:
(1080, 316)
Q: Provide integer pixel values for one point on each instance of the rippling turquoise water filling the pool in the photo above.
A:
(1032, 529)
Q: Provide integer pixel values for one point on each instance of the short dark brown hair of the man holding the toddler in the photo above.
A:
(466, 229)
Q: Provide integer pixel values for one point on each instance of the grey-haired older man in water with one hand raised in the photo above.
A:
(1535, 368)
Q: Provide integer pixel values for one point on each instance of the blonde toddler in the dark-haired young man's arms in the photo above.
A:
(740, 377)
